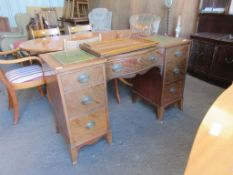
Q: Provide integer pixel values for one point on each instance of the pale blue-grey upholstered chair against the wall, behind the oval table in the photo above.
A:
(100, 19)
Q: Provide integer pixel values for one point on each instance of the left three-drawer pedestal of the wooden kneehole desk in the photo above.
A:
(78, 96)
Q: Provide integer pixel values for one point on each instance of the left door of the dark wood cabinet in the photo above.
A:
(201, 56)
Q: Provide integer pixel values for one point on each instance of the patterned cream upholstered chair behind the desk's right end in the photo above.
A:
(145, 23)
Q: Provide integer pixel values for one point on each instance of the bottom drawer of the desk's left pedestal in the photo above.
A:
(89, 126)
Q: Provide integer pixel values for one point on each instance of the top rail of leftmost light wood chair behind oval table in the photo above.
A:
(44, 33)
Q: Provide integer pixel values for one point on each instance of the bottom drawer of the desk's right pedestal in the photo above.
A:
(173, 91)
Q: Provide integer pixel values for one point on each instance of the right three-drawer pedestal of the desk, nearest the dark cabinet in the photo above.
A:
(164, 85)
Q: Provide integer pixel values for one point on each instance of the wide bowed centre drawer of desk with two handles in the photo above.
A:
(132, 63)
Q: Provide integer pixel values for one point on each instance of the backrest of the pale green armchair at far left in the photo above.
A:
(22, 20)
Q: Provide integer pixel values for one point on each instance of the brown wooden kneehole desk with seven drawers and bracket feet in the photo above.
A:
(83, 123)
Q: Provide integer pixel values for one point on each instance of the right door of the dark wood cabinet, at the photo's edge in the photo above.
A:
(222, 66)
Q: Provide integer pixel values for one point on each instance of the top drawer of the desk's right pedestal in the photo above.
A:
(177, 53)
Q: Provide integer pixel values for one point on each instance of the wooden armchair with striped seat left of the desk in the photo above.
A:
(20, 78)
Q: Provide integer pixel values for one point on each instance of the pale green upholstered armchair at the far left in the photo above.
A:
(7, 39)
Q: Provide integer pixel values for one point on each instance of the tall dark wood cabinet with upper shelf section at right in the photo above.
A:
(211, 54)
